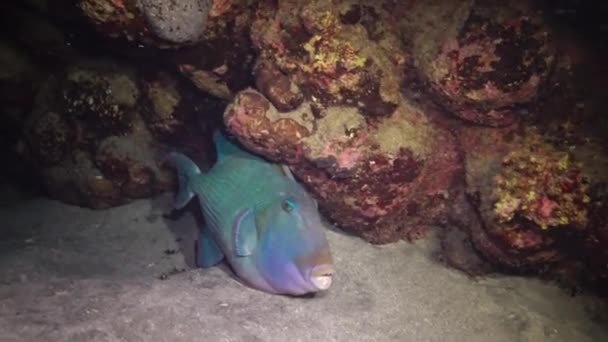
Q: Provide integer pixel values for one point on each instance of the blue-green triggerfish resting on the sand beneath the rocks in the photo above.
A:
(259, 219)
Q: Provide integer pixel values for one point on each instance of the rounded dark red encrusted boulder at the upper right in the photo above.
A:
(488, 60)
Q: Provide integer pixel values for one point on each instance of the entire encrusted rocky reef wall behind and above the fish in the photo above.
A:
(371, 105)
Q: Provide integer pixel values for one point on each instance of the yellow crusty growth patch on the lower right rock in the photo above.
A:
(542, 185)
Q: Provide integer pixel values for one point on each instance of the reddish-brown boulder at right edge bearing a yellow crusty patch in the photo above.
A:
(534, 207)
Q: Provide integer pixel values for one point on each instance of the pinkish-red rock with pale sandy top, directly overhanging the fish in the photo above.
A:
(383, 180)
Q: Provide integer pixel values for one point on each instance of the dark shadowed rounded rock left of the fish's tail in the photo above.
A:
(89, 139)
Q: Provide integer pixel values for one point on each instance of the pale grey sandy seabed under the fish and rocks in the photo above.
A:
(73, 274)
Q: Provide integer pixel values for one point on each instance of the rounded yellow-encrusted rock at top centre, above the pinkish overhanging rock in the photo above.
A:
(327, 52)
